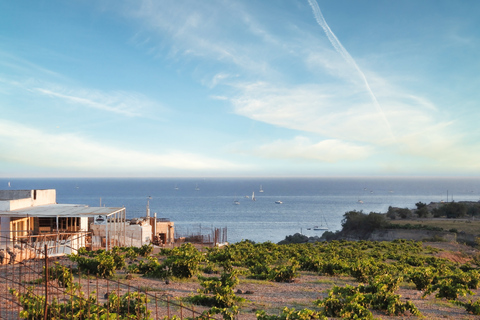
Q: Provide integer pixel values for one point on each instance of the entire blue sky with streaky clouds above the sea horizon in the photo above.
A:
(239, 88)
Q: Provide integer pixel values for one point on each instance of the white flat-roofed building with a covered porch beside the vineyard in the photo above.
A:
(33, 218)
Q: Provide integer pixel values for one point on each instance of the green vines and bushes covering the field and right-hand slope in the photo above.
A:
(376, 270)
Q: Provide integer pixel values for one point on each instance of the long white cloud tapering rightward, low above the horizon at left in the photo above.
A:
(23, 145)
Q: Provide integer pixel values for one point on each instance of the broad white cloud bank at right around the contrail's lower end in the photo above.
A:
(347, 120)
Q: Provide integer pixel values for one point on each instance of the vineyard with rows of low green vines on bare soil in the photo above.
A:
(337, 279)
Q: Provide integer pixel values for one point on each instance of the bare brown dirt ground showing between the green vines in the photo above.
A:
(262, 295)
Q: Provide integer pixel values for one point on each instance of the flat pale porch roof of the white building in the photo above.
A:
(61, 210)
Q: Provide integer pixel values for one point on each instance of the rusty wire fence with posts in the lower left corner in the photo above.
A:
(33, 285)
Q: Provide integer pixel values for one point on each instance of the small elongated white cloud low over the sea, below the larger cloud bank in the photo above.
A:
(303, 148)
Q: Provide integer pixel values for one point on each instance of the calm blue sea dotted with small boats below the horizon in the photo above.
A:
(197, 205)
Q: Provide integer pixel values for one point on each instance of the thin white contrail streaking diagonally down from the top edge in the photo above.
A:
(344, 53)
